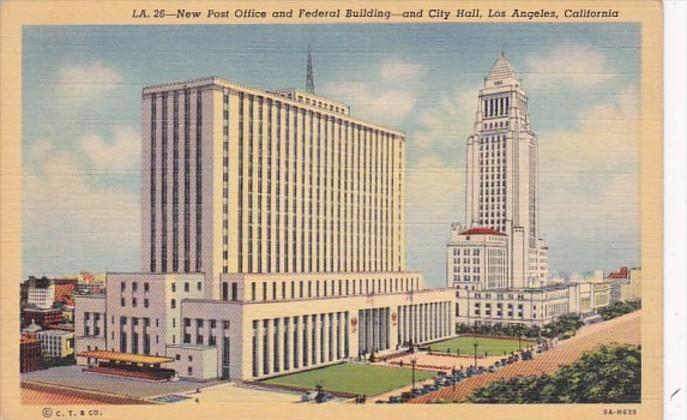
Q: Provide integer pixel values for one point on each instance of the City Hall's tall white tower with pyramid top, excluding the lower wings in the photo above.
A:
(502, 174)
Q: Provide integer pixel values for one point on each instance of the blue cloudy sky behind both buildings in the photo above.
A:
(81, 113)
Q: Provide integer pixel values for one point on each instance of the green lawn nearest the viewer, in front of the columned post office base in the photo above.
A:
(353, 378)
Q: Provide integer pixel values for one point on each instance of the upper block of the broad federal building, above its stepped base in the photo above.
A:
(238, 180)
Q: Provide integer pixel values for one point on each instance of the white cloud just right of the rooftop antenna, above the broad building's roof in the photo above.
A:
(386, 105)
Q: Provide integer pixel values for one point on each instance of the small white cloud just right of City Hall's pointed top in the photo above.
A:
(568, 64)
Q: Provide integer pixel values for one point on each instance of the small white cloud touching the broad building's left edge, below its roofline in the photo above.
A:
(120, 155)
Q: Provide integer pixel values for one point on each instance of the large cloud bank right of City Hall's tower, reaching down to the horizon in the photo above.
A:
(589, 179)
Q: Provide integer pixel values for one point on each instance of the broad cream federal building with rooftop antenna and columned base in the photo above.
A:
(273, 240)
